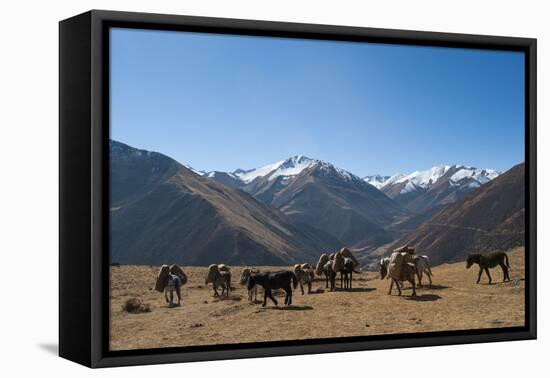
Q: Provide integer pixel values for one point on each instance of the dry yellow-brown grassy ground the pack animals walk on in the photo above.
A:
(454, 302)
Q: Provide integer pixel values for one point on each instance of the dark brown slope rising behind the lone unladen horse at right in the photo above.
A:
(490, 218)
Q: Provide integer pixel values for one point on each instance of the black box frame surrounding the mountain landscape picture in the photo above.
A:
(84, 183)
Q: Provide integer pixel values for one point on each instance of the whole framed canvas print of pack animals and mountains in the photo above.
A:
(234, 188)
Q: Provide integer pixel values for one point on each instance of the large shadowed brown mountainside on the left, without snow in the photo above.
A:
(164, 212)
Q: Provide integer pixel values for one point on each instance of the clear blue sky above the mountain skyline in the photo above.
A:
(225, 102)
